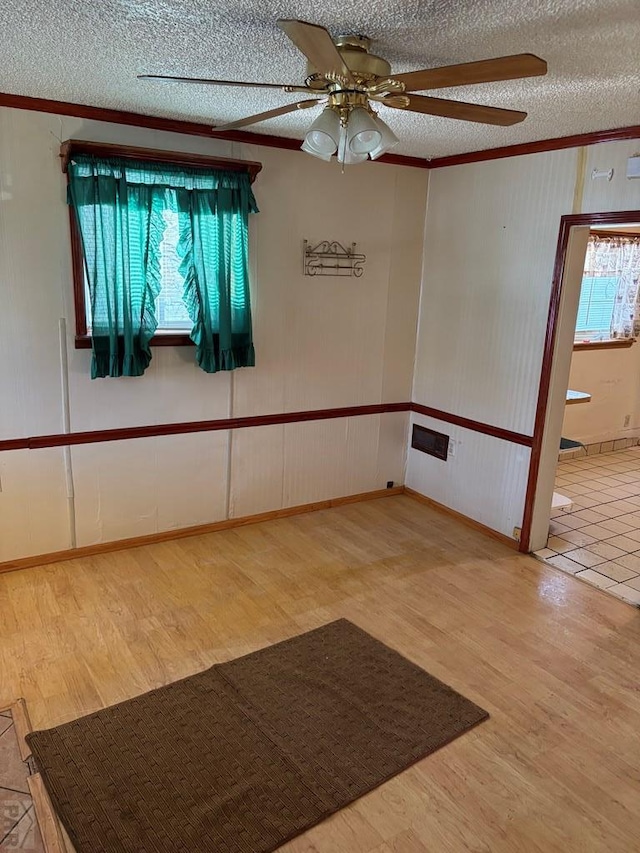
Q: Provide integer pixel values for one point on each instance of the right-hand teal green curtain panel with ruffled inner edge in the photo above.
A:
(214, 246)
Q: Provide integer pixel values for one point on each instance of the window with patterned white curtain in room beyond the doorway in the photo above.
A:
(609, 296)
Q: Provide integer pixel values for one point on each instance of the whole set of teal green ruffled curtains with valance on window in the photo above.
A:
(119, 205)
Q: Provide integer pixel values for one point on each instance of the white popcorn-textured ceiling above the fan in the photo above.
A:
(90, 53)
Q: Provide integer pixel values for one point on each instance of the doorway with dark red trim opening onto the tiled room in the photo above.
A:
(583, 502)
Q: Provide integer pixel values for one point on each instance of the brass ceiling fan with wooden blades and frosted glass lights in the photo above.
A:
(344, 76)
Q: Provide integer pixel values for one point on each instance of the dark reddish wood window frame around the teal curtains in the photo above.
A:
(153, 155)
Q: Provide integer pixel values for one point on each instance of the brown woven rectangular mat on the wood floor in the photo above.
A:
(246, 755)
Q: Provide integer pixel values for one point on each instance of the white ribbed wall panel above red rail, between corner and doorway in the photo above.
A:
(490, 243)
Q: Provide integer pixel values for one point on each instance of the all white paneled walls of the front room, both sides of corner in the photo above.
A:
(482, 271)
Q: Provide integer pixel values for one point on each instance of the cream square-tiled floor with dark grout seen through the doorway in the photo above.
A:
(598, 538)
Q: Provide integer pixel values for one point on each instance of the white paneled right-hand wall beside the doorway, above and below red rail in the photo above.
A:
(491, 235)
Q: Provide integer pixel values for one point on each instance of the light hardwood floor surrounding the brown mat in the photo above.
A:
(554, 661)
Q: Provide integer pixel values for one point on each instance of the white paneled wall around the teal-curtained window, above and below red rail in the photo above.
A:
(320, 343)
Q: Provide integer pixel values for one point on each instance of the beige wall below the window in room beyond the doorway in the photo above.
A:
(612, 377)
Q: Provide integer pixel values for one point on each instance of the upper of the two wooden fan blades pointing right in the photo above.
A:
(484, 71)
